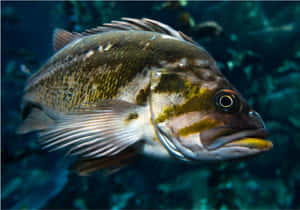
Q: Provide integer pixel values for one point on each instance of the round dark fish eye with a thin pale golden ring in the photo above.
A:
(226, 100)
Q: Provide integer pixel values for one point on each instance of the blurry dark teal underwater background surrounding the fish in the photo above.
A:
(257, 46)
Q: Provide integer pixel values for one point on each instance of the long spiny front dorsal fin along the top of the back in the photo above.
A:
(143, 24)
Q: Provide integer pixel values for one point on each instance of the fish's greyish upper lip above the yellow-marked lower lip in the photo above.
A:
(249, 133)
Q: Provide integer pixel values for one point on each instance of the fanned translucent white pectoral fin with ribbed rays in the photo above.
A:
(94, 131)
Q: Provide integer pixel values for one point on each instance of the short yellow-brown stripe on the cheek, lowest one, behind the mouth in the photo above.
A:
(198, 127)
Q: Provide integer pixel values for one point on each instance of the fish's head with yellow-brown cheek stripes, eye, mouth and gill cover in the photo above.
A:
(199, 115)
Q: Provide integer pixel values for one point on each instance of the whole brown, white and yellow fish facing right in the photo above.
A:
(137, 87)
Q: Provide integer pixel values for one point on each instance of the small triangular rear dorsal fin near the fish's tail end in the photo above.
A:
(62, 37)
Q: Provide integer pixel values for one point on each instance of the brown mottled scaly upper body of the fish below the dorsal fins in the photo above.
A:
(100, 66)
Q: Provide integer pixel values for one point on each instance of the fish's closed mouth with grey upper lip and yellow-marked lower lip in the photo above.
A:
(252, 139)
